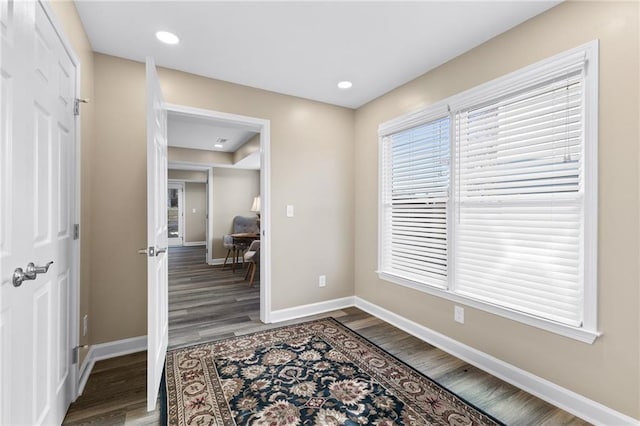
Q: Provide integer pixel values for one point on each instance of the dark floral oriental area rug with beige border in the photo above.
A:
(313, 373)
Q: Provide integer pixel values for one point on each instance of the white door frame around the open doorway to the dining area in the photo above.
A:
(262, 126)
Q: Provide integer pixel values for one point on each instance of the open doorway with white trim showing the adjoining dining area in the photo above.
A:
(210, 300)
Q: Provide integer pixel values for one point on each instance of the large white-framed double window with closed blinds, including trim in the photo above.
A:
(489, 197)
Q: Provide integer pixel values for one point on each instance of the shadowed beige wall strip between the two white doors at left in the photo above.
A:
(119, 202)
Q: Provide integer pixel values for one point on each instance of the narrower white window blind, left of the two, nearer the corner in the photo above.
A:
(415, 197)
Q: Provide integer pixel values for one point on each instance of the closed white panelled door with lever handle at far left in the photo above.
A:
(37, 151)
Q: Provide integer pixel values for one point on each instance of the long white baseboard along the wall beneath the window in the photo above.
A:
(570, 401)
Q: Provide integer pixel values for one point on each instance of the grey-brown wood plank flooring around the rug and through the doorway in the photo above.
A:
(115, 392)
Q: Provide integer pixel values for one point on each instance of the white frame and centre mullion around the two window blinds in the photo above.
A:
(510, 83)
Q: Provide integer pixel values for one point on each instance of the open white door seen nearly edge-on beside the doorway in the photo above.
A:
(157, 272)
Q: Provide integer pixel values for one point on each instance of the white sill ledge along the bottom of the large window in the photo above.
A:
(576, 333)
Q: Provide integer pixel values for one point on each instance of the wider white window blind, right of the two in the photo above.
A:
(519, 208)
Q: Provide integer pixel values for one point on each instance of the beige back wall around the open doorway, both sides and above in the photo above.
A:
(312, 158)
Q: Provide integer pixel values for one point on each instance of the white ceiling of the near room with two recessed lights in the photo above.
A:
(303, 48)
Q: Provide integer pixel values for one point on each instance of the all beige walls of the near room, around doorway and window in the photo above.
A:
(314, 167)
